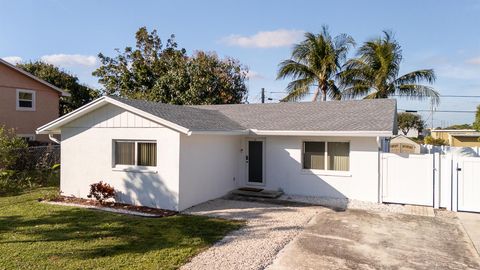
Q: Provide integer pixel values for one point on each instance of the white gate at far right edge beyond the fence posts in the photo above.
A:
(468, 172)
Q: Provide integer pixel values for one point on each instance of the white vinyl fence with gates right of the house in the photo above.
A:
(436, 180)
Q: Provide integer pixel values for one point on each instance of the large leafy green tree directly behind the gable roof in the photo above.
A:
(152, 71)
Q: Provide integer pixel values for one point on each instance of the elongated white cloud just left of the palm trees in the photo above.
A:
(265, 39)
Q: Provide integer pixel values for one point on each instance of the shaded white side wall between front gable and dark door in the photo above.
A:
(209, 167)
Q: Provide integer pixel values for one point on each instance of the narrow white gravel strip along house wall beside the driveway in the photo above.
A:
(346, 203)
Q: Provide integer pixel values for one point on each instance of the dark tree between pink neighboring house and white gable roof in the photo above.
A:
(79, 94)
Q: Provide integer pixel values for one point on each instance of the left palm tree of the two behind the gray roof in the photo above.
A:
(315, 62)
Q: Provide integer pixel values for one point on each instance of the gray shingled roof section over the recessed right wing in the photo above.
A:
(349, 115)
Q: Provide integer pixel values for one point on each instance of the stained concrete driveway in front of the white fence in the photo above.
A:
(359, 239)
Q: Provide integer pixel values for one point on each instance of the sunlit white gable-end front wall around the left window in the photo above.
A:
(87, 157)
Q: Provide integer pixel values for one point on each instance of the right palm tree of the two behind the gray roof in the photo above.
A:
(374, 74)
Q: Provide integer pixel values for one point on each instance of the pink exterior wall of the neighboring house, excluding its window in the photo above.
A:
(25, 122)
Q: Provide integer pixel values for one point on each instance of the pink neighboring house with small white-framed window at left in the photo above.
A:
(26, 102)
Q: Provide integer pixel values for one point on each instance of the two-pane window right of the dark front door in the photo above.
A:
(334, 156)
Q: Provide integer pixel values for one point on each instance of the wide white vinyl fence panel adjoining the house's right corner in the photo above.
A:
(407, 179)
